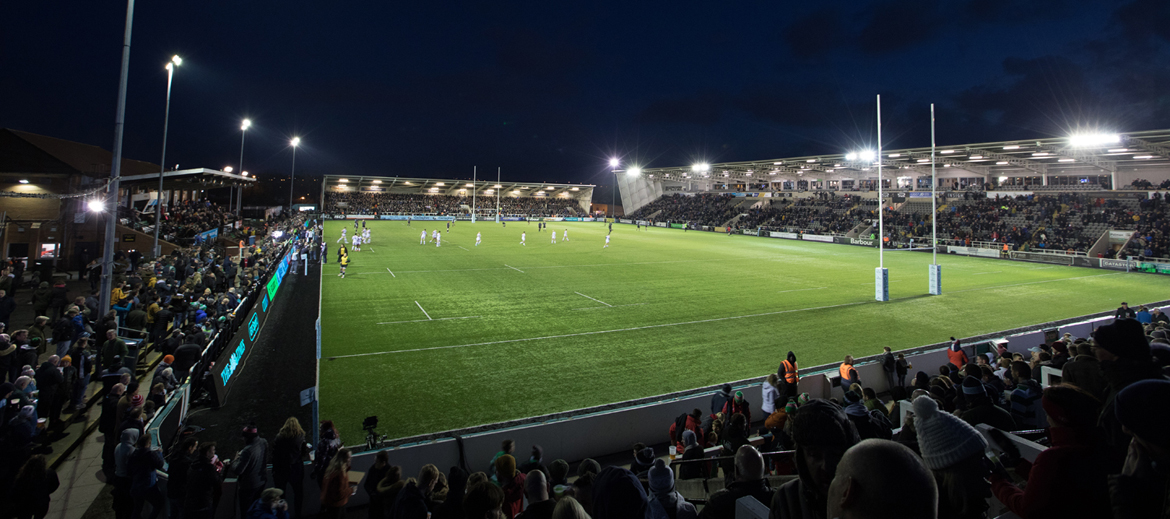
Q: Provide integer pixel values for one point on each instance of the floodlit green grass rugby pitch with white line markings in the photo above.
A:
(432, 340)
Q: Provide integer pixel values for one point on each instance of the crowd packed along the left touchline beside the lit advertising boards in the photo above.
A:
(174, 306)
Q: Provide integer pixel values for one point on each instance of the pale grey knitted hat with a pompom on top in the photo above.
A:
(944, 439)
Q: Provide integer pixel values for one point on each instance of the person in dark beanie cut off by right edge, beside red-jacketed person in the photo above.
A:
(1143, 489)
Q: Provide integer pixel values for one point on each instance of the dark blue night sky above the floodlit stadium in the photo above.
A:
(550, 91)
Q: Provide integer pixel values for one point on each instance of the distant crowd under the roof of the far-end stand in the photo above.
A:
(380, 204)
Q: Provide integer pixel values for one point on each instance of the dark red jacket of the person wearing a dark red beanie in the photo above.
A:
(1066, 481)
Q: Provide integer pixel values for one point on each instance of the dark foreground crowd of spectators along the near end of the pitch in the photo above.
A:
(1106, 451)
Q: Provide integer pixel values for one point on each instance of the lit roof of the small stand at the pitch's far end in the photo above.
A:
(451, 188)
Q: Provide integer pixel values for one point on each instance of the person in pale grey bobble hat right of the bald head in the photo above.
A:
(954, 452)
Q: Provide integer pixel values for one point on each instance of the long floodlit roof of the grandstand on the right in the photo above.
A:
(1083, 156)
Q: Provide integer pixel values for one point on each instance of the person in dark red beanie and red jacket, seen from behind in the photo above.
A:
(1073, 466)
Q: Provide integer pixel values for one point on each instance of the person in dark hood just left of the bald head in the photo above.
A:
(822, 433)
